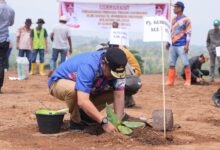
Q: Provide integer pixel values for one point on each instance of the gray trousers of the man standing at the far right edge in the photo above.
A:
(213, 57)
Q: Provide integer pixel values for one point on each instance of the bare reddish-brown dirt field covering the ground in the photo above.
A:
(194, 113)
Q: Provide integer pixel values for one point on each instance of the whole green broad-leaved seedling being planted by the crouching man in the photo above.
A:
(124, 127)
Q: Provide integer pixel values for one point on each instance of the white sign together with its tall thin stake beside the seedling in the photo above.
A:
(158, 29)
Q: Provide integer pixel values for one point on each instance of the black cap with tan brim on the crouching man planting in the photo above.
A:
(116, 60)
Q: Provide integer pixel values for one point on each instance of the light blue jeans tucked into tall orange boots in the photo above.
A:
(176, 52)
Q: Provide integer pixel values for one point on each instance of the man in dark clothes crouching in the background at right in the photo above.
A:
(197, 73)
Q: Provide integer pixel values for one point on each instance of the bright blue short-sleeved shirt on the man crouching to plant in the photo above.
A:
(85, 69)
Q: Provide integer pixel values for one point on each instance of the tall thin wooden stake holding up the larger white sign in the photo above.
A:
(163, 80)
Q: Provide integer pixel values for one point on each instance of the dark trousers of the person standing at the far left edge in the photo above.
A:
(3, 54)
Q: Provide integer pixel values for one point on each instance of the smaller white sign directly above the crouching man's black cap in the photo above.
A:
(119, 37)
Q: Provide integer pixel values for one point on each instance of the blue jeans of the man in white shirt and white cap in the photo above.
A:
(55, 54)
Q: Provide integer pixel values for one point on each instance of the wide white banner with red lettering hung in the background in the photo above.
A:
(94, 16)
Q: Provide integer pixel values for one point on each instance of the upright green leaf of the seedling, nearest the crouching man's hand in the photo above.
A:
(112, 117)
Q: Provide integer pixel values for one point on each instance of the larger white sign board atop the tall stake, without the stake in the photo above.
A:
(157, 29)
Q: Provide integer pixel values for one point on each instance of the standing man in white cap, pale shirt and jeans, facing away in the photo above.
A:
(61, 38)
